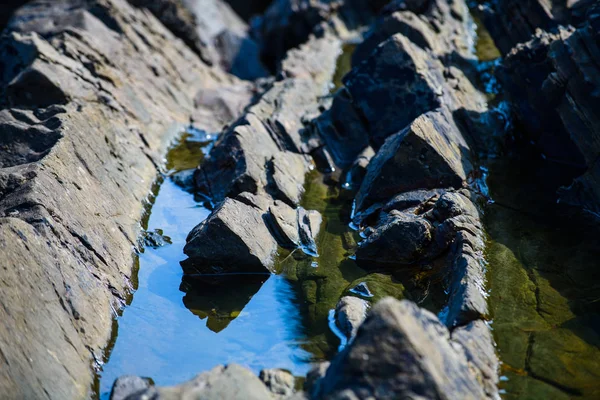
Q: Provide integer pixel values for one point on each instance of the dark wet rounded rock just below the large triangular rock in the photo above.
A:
(402, 239)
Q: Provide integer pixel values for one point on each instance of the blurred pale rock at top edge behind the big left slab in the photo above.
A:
(213, 30)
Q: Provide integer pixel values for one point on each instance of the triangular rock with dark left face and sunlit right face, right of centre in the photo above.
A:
(429, 153)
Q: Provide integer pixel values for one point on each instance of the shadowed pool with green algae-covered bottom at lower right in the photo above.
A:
(544, 283)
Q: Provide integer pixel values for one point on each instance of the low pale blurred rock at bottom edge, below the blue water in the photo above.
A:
(230, 382)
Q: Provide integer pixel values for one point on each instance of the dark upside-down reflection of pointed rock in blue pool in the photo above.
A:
(220, 299)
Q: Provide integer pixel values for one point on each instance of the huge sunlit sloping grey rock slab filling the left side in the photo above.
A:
(92, 94)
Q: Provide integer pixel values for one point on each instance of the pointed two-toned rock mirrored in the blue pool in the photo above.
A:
(234, 238)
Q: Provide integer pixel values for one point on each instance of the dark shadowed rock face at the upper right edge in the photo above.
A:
(554, 83)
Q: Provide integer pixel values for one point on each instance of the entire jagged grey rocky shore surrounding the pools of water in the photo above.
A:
(94, 91)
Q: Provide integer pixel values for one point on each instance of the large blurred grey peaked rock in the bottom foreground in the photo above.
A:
(400, 351)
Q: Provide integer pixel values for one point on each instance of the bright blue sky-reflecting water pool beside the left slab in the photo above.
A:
(159, 337)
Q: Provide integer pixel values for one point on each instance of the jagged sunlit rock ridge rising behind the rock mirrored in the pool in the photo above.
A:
(263, 151)
